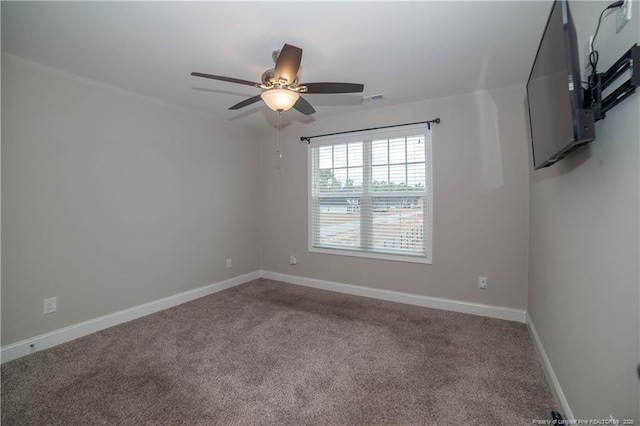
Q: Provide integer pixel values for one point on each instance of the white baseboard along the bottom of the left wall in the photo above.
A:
(66, 334)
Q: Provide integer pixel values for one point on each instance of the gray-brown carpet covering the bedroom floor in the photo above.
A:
(272, 353)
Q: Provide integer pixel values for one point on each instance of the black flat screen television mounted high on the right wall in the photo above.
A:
(559, 121)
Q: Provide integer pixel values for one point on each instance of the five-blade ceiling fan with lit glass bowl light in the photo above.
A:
(280, 88)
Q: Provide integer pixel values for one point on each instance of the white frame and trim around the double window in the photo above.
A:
(367, 136)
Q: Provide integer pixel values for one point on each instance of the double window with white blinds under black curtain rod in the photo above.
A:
(370, 194)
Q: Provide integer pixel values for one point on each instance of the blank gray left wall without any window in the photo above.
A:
(111, 199)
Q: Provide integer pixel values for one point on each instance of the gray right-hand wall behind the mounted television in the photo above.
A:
(584, 250)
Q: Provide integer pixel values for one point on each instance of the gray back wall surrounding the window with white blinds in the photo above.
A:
(480, 201)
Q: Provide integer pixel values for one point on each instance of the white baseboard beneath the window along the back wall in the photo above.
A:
(499, 312)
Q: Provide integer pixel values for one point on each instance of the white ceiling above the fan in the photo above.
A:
(404, 50)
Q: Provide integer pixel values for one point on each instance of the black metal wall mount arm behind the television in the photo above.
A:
(600, 81)
